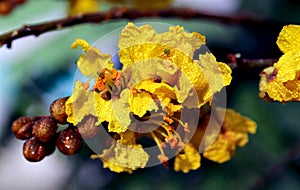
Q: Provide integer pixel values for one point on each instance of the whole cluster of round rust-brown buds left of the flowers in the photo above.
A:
(42, 135)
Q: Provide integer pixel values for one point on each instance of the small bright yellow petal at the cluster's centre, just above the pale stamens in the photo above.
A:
(141, 102)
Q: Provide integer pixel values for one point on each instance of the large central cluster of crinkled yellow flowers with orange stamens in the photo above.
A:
(146, 98)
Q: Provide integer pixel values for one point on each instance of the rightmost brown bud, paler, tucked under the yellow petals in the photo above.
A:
(87, 127)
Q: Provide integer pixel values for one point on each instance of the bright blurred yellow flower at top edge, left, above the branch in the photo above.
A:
(83, 6)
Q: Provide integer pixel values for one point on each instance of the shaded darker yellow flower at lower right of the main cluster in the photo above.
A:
(233, 133)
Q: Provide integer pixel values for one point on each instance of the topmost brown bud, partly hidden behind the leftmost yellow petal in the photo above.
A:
(58, 110)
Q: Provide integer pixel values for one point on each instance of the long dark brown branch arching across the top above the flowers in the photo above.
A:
(125, 13)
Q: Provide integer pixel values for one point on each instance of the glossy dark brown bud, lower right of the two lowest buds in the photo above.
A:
(69, 141)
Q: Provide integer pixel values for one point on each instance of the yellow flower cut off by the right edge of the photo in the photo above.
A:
(282, 81)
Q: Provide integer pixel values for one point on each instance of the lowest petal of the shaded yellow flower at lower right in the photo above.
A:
(220, 151)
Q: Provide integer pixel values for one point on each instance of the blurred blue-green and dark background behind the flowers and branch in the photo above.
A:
(37, 70)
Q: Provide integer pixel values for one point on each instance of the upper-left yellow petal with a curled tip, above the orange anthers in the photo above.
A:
(93, 60)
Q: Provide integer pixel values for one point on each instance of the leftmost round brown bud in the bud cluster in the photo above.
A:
(22, 127)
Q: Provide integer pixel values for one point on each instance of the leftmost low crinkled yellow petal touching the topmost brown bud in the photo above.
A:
(80, 104)
